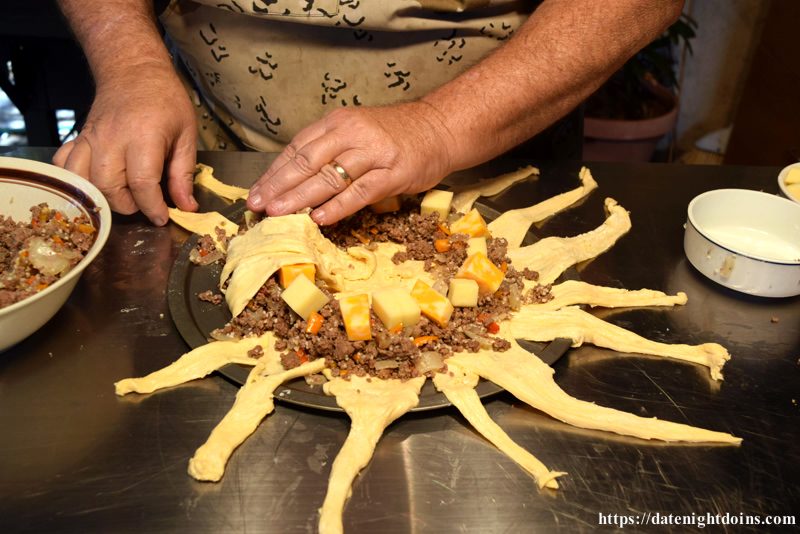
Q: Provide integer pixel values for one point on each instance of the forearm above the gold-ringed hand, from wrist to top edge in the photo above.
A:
(560, 56)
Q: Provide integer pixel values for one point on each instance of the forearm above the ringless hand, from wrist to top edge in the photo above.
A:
(116, 35)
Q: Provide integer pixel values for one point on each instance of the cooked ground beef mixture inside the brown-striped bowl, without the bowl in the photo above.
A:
(35, 254)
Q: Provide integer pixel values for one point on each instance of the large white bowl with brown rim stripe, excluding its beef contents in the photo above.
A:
(26, 183)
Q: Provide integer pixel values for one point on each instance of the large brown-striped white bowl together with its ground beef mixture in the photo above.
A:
(53, 224)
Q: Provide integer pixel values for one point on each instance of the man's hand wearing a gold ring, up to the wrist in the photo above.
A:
(385, 151)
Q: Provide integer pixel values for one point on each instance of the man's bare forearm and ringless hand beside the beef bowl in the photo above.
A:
(141, 125)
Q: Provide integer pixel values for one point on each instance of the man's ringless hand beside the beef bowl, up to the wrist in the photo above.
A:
(141, 126)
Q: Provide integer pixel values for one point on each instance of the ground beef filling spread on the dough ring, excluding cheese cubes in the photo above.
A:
(405, 354)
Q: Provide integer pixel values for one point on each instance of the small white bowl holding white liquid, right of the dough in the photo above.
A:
(746, 240)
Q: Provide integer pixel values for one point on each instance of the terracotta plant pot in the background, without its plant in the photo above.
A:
(627, 140)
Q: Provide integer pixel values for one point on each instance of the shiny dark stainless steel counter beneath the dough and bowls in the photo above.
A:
(76, 458)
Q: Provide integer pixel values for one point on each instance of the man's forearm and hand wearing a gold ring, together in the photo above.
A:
(557, 58)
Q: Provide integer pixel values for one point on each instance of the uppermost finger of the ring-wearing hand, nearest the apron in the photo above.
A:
(304, 164)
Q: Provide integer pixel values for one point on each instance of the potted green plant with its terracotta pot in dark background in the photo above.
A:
(638, 105)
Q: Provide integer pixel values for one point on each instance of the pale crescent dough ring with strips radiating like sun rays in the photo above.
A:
(373, 403)
